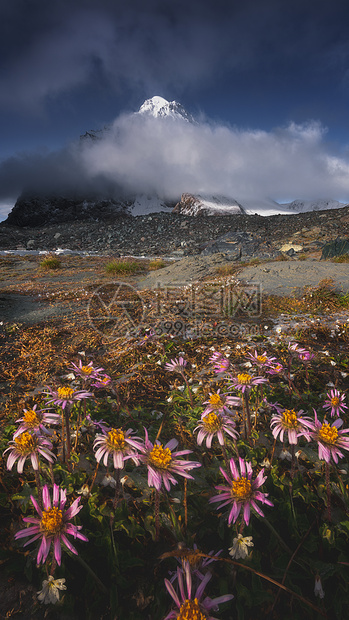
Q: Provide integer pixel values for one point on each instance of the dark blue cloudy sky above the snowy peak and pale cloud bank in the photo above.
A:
(69, 66)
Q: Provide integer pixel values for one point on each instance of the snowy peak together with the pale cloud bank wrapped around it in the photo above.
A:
(161, 150)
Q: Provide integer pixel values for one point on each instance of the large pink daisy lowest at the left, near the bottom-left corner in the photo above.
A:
(52, 524)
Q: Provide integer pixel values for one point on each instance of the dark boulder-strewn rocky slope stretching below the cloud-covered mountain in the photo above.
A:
(170, 234)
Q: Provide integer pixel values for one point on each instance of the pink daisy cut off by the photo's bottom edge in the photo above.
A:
(190, 605)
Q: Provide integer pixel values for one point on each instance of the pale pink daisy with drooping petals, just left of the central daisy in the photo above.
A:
(117, 444)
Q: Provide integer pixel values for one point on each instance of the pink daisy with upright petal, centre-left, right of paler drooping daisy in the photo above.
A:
(163, 463)
